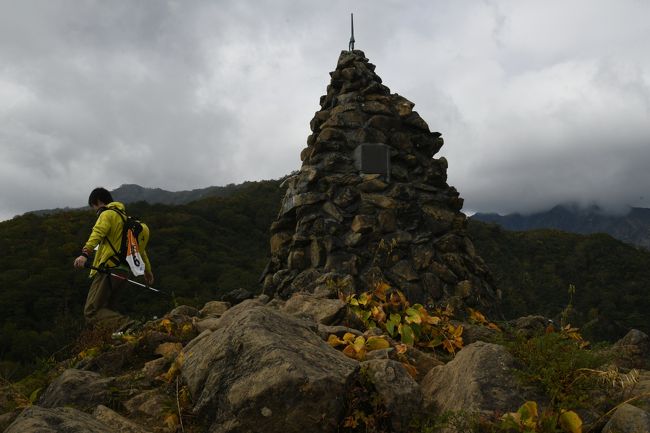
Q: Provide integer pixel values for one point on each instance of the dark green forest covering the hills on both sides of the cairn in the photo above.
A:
(205, 249)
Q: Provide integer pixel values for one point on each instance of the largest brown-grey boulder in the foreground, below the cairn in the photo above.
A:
(263, 367)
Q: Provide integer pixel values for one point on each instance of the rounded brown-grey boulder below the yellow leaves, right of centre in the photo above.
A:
(480, 378)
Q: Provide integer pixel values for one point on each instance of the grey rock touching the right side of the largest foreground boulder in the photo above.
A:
(398, 391)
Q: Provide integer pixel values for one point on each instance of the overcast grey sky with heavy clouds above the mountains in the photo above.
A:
(539, 102)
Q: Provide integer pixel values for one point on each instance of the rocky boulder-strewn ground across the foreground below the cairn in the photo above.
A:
(270, 366)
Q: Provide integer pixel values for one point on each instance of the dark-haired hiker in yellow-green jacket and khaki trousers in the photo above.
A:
(106, 238)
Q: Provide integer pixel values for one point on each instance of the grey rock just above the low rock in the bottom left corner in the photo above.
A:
(83, 389)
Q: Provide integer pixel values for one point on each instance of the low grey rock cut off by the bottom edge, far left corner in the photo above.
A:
(36, 419)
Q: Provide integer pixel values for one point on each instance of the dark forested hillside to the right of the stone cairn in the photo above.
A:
(535, 269)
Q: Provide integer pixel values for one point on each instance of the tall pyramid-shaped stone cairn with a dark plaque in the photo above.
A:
(342, 225)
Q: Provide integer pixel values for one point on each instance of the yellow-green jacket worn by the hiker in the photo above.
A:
(107, 231)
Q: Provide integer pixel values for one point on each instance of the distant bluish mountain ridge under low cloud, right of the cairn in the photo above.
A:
(633, 227)
